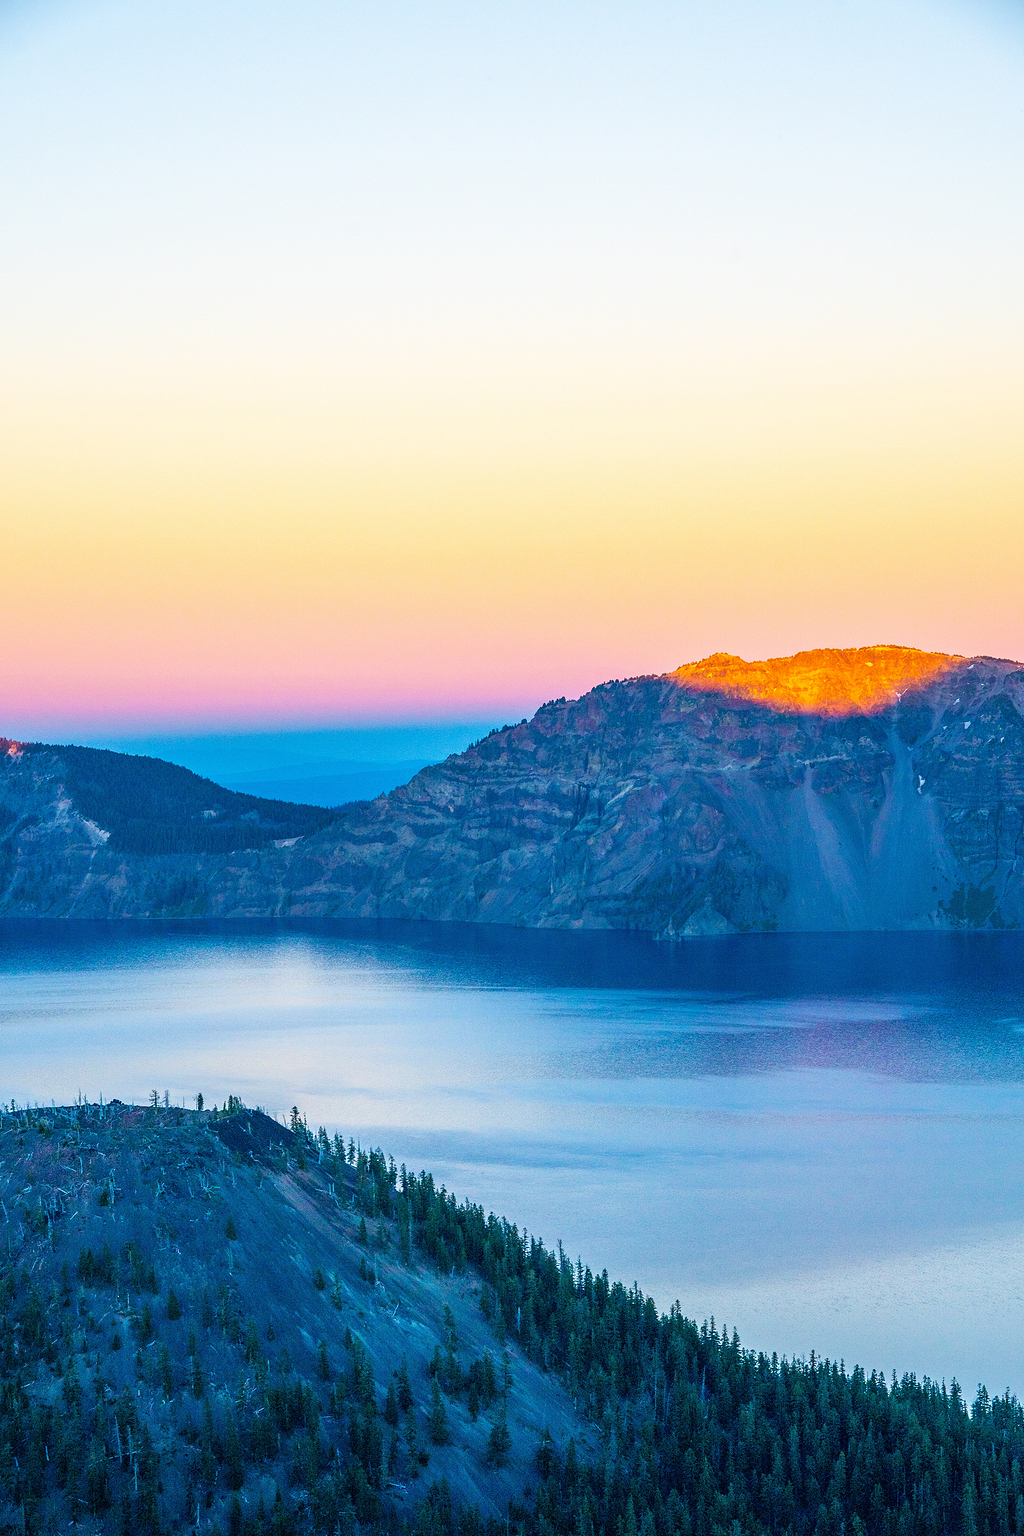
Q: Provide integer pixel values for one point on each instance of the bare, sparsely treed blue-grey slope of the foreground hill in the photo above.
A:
(211, 1322)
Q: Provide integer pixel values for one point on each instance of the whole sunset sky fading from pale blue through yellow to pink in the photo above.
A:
(428, 362)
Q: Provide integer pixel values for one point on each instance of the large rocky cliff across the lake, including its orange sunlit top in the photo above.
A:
(836, 790)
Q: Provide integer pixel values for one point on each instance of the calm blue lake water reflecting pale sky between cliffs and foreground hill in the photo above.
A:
(814, 1139)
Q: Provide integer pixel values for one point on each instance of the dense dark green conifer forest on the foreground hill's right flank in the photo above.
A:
(699, 1435)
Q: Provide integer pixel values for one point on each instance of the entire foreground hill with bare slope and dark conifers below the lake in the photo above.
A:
(211, 1322)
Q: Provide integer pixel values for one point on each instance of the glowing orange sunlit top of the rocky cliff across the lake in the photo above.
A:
(821, 683)
